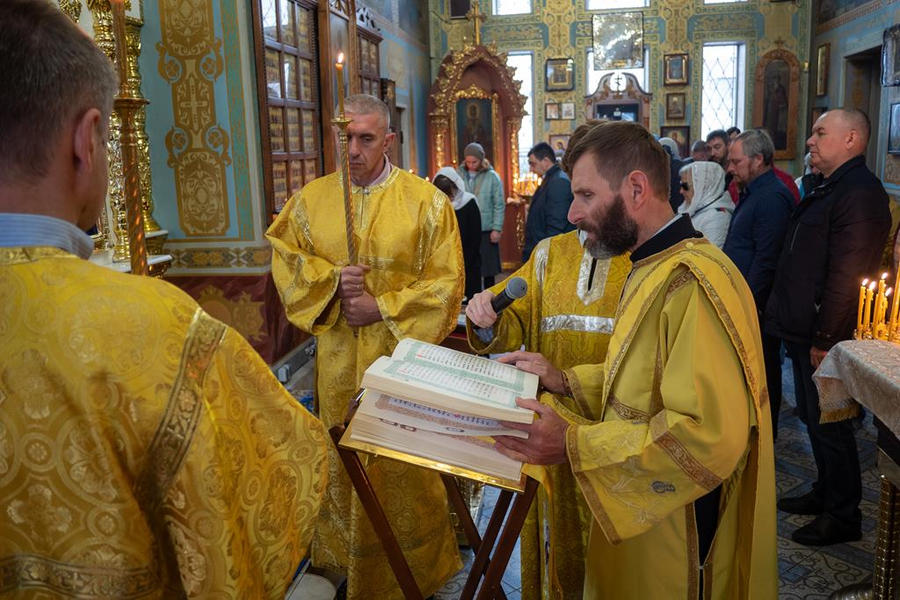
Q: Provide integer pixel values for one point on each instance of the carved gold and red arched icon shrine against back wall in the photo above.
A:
(475, 98)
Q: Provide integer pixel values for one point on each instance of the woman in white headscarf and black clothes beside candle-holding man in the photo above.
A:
(469, 218)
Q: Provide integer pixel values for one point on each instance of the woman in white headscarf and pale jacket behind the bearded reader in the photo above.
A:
(706, 200)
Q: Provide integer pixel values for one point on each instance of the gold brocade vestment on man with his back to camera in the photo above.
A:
(146, 451)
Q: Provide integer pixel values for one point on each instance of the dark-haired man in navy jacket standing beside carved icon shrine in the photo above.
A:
(548, 214)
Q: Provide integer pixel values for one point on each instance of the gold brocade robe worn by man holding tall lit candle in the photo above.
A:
(406, 231)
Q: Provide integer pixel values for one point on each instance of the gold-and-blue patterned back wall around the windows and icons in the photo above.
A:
(562, 29)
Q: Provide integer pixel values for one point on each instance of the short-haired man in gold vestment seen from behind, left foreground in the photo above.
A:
(146, 450)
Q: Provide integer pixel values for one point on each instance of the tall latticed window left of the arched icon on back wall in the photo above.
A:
(722, 104)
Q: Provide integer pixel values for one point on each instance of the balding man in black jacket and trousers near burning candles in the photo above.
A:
(835, 238)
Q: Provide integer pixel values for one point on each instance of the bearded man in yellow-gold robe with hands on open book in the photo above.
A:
(678, 471)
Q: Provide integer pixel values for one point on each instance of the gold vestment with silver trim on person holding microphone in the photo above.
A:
(570, 323)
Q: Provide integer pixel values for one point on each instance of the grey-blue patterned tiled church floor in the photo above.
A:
(804, 573)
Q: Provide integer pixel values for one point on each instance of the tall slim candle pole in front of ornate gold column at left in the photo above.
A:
(126, 105)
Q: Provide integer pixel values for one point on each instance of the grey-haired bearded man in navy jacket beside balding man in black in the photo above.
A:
(756, 235)
